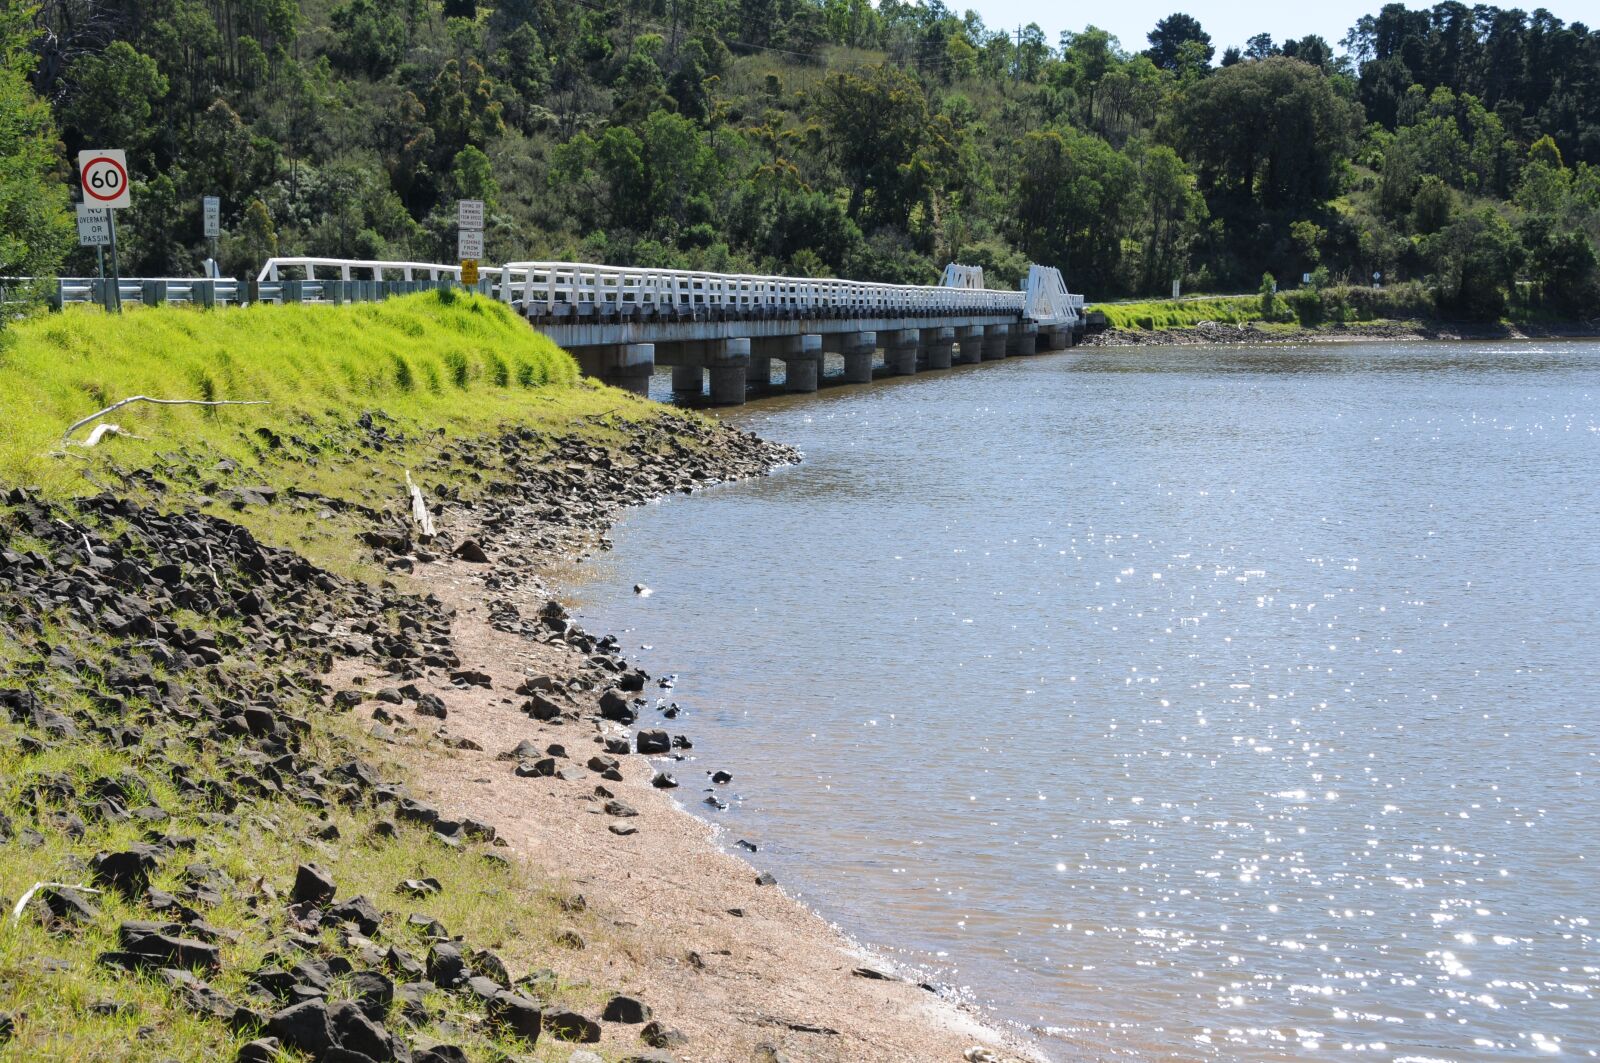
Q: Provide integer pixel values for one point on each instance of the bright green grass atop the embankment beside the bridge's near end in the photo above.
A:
(431, 369)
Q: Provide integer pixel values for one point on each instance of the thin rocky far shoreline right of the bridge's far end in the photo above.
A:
(1401, 332)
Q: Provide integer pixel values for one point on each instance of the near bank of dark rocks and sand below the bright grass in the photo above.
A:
(262, 808)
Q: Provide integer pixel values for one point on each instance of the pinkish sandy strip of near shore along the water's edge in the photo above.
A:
(772, 979)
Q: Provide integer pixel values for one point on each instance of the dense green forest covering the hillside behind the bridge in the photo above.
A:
(1450, 148)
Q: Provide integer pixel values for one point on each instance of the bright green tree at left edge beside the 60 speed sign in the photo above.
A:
(36, 228)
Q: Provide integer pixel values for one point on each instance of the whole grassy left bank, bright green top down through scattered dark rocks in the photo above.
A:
(114, 737)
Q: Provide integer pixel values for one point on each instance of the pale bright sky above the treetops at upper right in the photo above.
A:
(1230, 23)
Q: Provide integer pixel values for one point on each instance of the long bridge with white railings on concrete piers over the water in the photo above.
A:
(622, 323)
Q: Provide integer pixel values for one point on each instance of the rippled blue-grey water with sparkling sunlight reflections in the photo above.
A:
(1185, 704)
